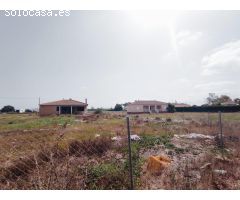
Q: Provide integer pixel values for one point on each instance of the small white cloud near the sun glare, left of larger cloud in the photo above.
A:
(186, 37)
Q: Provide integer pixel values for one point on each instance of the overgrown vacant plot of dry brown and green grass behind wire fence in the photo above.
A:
(90, 151)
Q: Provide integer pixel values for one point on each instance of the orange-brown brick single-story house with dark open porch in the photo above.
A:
(69, 107)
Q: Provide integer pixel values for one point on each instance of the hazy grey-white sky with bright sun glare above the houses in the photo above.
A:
(114, 57)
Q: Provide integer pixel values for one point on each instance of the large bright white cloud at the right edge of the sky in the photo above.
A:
(223, 61)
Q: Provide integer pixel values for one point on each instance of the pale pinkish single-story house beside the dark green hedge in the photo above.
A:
(147, 107)
